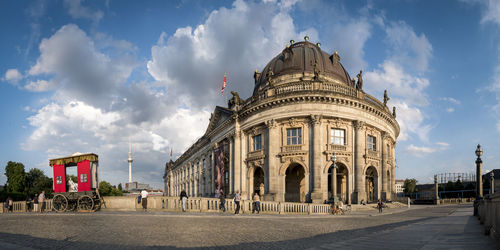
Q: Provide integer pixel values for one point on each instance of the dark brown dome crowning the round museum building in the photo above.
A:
(303, 57)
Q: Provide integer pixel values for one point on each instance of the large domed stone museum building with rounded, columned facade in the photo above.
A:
(279, 141)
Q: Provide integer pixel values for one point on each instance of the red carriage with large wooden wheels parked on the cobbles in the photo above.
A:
(81, 196)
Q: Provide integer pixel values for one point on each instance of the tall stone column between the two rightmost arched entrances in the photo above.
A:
(359, 188)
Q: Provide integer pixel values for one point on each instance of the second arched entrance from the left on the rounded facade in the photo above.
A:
(295, 183)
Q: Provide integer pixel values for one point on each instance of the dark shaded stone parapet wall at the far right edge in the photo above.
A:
(489, 214)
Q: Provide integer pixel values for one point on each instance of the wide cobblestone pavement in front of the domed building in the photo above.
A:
(416, 228)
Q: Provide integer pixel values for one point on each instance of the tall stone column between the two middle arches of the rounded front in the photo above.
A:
(316, 142)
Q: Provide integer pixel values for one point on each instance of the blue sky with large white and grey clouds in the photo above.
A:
(92, 76)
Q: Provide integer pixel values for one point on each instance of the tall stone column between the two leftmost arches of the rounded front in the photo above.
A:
(271, 177)
